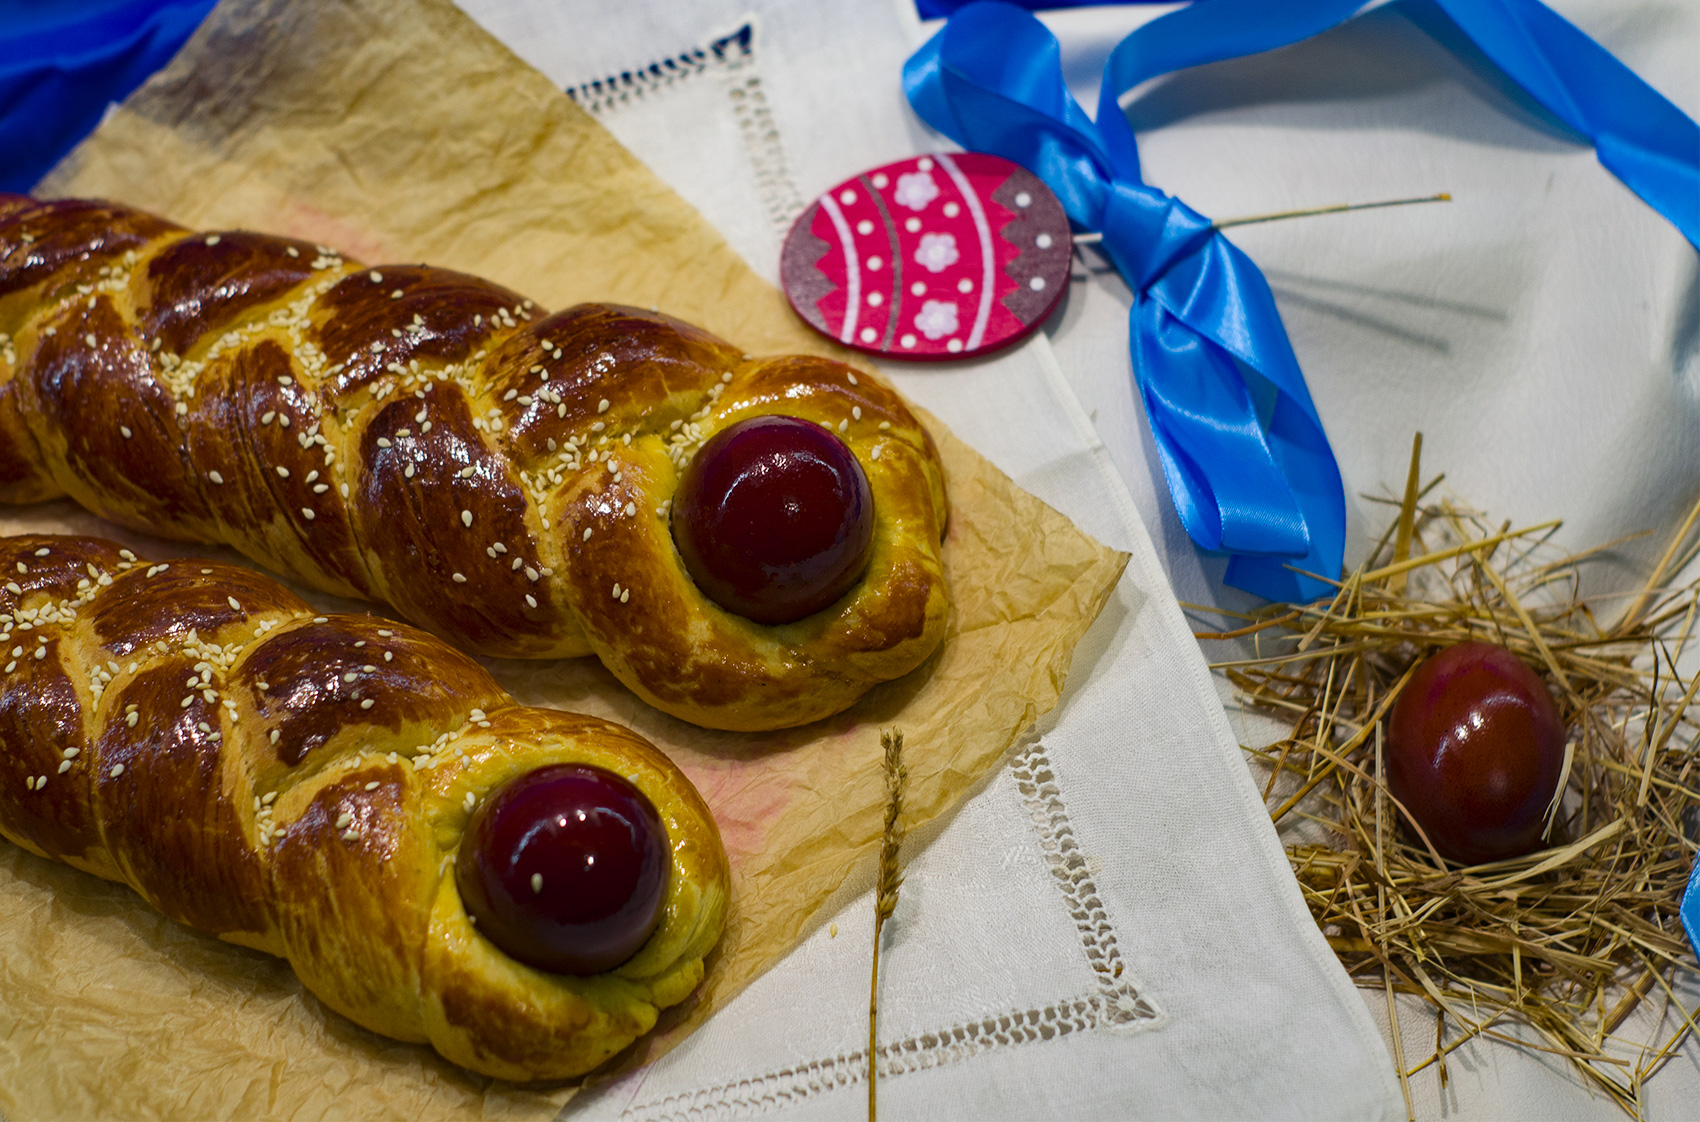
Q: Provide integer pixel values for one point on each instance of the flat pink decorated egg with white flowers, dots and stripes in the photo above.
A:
(936, 258)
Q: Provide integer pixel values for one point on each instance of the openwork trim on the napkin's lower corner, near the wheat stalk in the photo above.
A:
(1114, 1006)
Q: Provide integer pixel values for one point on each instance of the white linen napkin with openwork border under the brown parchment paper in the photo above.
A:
(1109, 927)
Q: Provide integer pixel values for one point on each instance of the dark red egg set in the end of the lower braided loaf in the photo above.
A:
(565, 870)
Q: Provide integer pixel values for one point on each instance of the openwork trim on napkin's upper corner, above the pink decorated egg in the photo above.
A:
(732, 59)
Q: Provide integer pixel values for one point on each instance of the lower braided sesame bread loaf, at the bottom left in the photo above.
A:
(302, 785)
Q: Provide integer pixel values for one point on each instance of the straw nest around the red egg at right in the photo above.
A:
(1570, 939)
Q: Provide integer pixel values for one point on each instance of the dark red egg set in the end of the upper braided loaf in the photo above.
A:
(774, 519)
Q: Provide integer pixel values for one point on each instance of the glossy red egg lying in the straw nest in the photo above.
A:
(1475, 751)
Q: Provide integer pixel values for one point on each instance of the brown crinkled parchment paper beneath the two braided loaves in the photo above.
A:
(400, 132)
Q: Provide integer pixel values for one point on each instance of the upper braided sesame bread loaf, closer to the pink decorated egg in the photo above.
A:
(433, 441)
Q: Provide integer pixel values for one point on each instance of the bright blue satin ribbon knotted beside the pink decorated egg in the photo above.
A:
(1242, 446)
